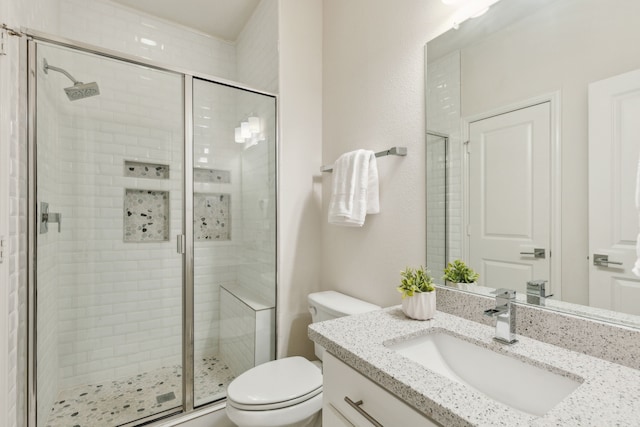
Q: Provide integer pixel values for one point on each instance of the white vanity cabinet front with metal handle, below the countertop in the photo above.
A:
(341, 382)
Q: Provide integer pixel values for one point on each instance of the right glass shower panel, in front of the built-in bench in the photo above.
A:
(234, 207)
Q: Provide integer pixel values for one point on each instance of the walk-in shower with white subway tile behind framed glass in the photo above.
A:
(156, 287)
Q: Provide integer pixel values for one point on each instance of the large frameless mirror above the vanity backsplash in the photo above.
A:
(565, 71)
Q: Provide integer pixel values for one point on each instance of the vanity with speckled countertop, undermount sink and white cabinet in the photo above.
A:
(383, 359)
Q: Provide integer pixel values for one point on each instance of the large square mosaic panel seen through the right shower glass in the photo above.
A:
(212, 216)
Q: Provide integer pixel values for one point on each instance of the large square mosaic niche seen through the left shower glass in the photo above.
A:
(146, 216)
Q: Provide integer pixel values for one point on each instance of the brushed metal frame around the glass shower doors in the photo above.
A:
(29, 51)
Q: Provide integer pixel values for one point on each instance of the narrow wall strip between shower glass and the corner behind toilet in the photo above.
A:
(299, 232)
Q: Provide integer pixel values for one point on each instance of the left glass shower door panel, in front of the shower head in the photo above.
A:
(110, 205)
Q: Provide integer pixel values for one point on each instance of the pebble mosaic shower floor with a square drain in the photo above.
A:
(113, 403)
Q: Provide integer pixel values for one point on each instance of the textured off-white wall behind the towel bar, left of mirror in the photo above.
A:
(373, 98)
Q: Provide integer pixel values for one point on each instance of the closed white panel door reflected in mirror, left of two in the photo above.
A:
(509, 205)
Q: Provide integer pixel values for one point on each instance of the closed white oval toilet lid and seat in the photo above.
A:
(278, 383)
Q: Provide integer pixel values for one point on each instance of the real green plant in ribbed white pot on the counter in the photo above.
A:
(418, 293)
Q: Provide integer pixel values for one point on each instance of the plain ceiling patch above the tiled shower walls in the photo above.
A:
(224, 19)
